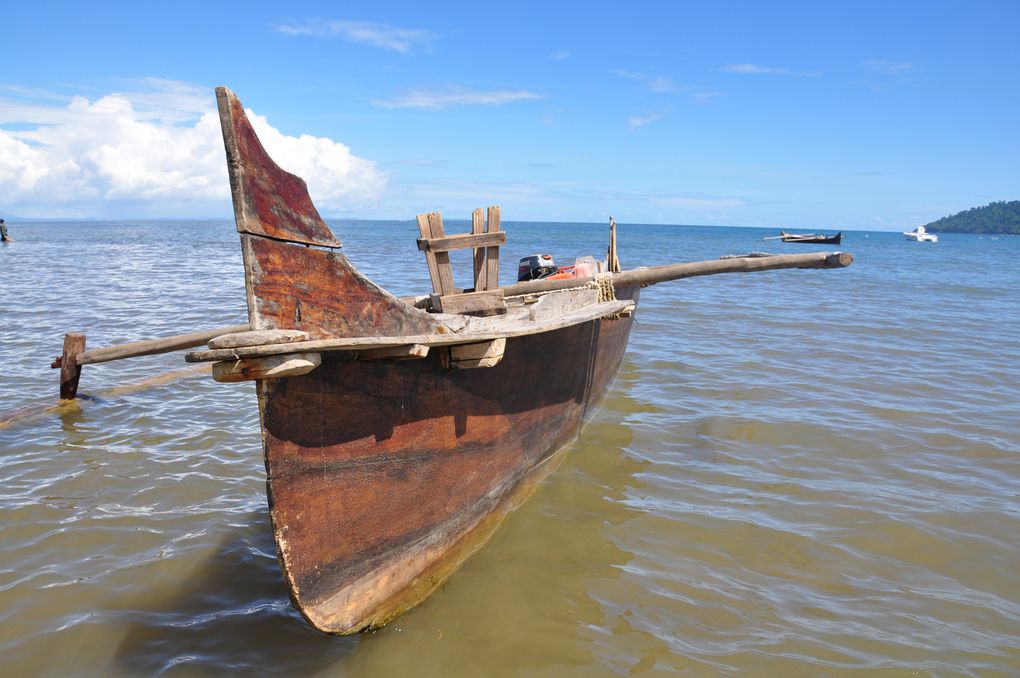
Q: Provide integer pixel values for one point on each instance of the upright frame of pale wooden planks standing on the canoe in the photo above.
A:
(485, 239)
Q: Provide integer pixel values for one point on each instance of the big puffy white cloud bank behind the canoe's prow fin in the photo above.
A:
(156, 151)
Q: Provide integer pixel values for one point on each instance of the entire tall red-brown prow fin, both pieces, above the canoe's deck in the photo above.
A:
(290, 285)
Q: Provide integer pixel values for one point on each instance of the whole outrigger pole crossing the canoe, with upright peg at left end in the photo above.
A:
(75, 354)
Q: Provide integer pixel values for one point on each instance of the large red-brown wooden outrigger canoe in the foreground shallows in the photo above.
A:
(398, 433)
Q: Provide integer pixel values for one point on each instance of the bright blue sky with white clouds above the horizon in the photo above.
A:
(852, 116)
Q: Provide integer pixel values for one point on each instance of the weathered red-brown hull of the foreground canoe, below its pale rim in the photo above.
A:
(384, 477)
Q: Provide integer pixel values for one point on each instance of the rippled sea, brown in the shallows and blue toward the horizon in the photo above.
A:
(797, 474)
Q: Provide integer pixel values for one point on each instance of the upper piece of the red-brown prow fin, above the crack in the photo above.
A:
(262, 189)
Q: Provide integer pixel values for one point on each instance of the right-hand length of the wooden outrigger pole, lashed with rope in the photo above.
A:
(655, 275)
